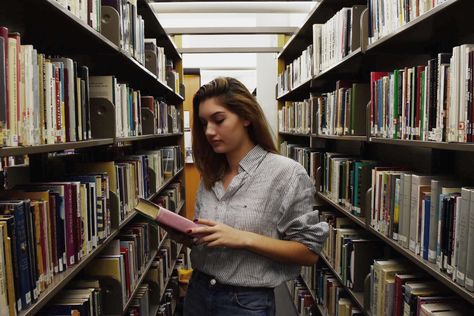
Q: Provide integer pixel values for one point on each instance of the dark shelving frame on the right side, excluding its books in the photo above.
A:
(437, 30)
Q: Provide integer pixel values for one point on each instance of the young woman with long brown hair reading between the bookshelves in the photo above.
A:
(255, 207)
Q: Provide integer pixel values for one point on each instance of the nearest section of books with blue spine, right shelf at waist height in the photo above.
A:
(434, 219)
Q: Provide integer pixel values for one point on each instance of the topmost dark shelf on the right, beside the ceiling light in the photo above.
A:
(322, 12)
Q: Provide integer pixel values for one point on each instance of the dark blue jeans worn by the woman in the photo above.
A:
(206, 297)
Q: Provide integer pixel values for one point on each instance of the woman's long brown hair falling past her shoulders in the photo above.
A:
(235, 97)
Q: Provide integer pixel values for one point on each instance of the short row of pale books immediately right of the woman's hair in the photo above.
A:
(295, 117)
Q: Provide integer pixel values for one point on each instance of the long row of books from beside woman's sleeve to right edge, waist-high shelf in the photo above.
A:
(429, 215)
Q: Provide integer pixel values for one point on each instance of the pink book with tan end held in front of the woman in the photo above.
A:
(164, 217)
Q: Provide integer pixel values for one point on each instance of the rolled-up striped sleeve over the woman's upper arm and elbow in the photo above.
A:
(298, 221)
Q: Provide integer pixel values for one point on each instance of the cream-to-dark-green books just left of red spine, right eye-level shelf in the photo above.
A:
(343, 111)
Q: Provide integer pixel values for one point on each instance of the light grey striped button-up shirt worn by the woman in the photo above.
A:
(271, 195)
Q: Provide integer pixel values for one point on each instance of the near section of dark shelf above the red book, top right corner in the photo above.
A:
(435, 31)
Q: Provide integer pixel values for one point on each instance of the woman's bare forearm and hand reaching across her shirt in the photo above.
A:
(286, 251)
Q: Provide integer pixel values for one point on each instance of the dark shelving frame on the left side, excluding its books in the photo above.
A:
(55, 31)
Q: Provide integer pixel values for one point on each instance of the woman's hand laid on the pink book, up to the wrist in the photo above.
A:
(219, 235)
